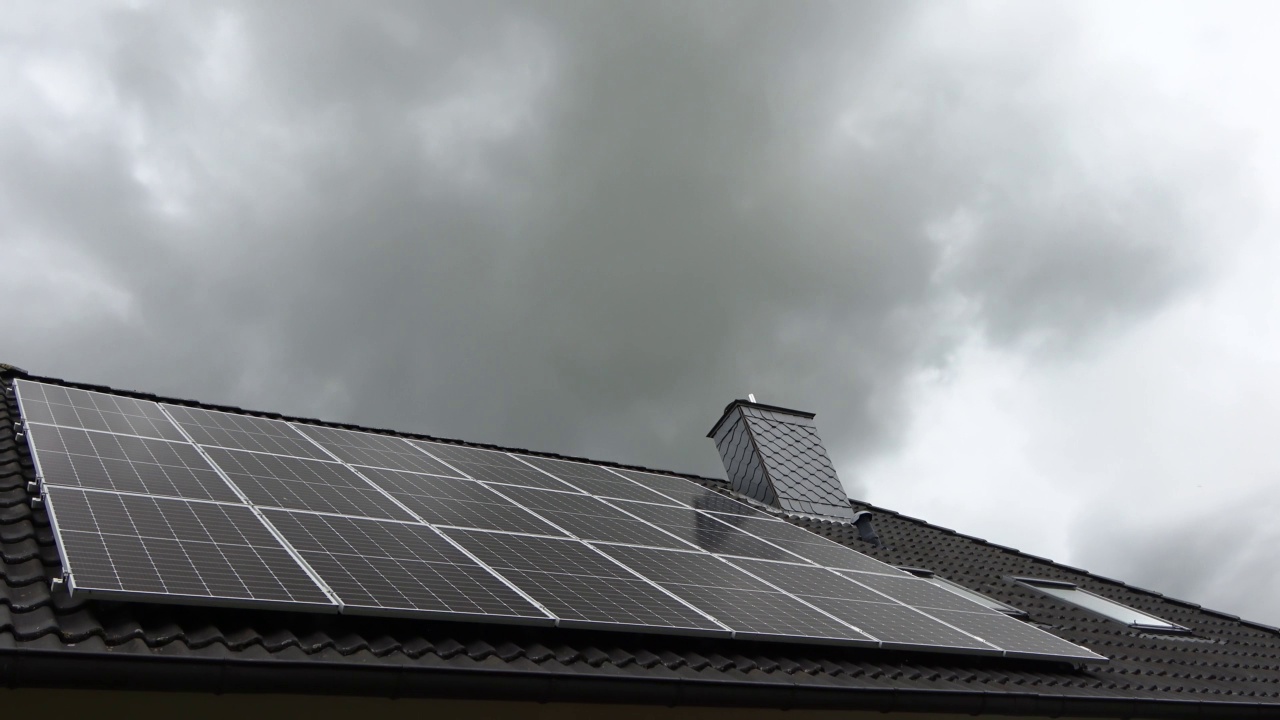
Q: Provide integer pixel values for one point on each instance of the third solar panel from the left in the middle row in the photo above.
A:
(456, 502)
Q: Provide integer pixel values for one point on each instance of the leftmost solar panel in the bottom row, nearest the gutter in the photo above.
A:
(175, 550)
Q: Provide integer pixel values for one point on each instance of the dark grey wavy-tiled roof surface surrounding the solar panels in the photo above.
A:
(1228, 667)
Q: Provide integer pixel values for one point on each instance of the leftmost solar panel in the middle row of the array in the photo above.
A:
(76, 458)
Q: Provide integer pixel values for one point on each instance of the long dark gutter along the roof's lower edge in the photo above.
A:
(62, 669)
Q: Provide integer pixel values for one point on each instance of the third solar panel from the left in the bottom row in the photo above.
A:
(580, 586)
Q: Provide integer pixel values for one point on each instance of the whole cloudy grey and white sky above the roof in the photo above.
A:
(1018, 258)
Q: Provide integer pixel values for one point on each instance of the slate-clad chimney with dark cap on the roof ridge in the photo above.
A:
(776, 457)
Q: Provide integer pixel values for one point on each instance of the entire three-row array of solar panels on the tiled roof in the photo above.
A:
(175, 504)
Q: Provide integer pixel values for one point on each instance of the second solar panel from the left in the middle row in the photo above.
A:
(298, 484)
